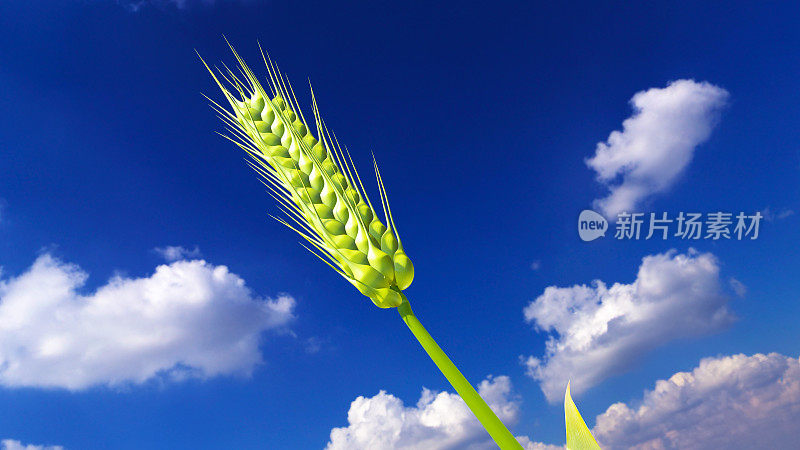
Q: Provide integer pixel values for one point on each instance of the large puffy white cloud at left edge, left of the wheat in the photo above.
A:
(188, 319)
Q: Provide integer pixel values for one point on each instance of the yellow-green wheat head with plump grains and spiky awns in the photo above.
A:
(315, 183)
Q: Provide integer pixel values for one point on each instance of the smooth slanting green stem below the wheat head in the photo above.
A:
(502, 437)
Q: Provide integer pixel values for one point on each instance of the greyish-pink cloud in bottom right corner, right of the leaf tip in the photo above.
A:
(731, 402)
